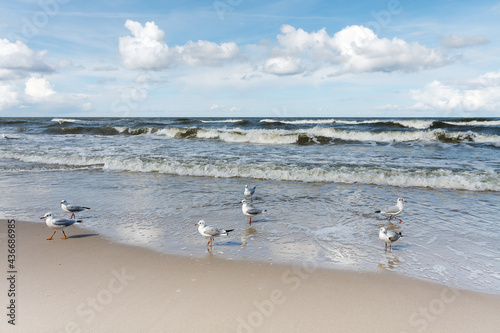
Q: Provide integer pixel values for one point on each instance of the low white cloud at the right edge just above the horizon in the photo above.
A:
(481, 93)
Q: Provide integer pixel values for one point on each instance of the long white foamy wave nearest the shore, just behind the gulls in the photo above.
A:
(436, 179)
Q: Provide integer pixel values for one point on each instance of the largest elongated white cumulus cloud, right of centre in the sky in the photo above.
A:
(354, 49)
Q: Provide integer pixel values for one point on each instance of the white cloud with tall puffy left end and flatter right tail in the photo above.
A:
(147, 49)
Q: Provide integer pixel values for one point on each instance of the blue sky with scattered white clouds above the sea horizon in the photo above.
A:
(235, 58)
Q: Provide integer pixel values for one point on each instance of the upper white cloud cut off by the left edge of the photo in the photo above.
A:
(17, 60)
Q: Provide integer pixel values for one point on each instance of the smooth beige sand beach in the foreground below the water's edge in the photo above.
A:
(89, 284)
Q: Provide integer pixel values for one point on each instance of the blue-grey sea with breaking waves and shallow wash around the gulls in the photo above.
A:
(149, 180)
